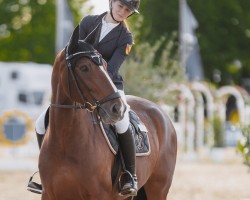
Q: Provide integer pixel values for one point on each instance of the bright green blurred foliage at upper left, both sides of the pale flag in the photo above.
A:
(27, 29)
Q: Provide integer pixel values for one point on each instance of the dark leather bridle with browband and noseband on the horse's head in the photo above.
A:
(97, 59)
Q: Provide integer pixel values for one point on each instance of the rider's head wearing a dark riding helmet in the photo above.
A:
(122, 9)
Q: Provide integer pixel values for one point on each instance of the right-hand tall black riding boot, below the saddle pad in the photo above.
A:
(127, 145)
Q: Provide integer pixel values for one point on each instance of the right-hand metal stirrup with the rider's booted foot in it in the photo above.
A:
(129, 187)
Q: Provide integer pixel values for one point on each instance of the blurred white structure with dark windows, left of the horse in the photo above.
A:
(25, 87)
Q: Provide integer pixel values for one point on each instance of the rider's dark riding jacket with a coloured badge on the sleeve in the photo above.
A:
(114, 47)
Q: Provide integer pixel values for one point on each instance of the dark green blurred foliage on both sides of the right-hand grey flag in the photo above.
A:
(223, 33)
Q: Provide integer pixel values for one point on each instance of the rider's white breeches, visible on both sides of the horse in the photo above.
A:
(120, 126)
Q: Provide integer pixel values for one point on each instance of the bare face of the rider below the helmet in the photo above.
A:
(120, 11)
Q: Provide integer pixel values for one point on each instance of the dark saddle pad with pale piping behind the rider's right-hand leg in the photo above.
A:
(140, 134)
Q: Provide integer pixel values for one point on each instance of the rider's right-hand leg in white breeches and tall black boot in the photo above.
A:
(127, 145)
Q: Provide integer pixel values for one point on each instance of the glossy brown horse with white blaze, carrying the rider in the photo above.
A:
(75, 162)
